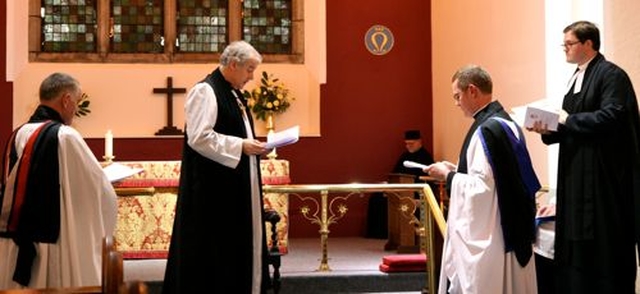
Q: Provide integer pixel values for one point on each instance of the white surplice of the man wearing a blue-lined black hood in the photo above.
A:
(474, 258)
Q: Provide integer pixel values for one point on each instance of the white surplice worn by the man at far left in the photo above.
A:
(88, 212)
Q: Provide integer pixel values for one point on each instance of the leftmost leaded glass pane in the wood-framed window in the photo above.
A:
(68, 26)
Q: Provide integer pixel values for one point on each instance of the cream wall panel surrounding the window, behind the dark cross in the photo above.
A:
(122, 96)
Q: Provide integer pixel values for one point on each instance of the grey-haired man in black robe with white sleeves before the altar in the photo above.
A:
(218, 243)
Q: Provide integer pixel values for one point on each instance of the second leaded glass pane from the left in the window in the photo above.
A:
(137, 26)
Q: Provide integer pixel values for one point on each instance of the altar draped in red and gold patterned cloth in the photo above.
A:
(147, 201)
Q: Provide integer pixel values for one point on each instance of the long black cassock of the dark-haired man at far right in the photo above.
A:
(598, 184)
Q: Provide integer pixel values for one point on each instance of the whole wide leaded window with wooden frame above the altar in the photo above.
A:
(163, 31)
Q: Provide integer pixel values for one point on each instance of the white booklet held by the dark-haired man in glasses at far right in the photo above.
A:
(544, 110)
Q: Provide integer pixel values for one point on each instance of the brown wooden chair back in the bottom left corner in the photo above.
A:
(112, 278)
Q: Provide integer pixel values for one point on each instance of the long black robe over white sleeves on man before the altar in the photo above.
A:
(211, 248)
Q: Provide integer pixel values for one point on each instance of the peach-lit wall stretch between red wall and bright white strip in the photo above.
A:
(498, 36)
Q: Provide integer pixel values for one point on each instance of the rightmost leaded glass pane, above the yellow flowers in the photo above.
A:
(267, 25)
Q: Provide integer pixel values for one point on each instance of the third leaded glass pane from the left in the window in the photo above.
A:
(202, 25)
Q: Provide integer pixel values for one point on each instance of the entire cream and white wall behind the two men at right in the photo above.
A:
(521, 52)
